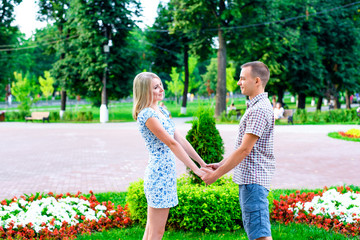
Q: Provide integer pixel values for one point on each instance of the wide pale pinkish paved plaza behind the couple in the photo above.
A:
(37, 157)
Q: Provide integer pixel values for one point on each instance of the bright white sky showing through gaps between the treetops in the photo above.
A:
(26, 13)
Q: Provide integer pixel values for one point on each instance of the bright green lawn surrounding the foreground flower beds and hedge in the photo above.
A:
(279, 231)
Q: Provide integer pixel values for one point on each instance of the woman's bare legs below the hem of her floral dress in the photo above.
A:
(155, 225)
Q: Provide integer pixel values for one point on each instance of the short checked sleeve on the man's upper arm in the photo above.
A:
(257, 122)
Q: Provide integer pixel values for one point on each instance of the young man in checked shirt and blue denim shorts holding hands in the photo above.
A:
(253, 158)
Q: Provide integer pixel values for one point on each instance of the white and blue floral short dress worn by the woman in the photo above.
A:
(160, 174)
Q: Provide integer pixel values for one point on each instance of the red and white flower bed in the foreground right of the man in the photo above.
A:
(335, 209)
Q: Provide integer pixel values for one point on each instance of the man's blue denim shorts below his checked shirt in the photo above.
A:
(255, 210)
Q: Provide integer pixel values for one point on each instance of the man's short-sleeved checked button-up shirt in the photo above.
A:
(259, 166)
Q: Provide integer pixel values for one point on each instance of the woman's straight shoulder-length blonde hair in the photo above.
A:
(142, 94)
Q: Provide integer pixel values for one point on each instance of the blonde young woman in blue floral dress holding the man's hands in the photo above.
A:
(162, 142)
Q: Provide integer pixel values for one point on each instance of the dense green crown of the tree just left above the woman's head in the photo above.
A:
(95, 23)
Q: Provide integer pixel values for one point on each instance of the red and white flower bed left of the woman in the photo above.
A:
(58, 217)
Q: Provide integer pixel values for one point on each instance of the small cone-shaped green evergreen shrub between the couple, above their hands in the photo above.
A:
(205, 138)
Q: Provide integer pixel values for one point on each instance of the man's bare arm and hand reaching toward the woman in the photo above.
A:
(233, 160)
